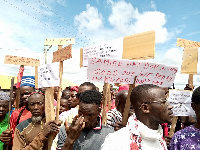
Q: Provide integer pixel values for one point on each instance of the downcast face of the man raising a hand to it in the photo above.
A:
(90, 113)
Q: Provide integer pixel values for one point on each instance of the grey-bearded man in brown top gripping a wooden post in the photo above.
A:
(33, 132)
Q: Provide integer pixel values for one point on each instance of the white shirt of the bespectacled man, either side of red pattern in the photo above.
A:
(120, 139)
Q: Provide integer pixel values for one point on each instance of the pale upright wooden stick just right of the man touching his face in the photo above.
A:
(104, 116)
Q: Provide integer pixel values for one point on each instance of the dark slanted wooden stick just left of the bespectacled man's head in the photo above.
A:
(128, 103)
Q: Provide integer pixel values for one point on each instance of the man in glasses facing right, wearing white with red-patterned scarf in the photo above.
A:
(143, 130)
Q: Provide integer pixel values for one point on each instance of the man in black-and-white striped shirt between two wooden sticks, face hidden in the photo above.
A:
(115, 115)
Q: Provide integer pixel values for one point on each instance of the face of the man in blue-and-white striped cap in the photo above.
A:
(24, 93)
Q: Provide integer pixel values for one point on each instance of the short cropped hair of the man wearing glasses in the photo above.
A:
(139, 94)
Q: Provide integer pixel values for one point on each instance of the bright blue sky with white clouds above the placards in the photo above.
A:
(25, 24)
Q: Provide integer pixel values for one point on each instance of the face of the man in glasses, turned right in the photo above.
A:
(160, 110)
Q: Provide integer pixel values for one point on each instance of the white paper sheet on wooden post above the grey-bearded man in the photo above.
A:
(48, 75)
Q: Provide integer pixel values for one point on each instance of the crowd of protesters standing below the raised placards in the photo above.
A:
(80, 124)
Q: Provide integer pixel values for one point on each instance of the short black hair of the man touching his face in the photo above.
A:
(91, 97)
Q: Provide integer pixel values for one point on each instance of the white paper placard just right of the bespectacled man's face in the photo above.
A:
(181, 102)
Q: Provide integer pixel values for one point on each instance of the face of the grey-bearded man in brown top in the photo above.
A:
(36, 105)
